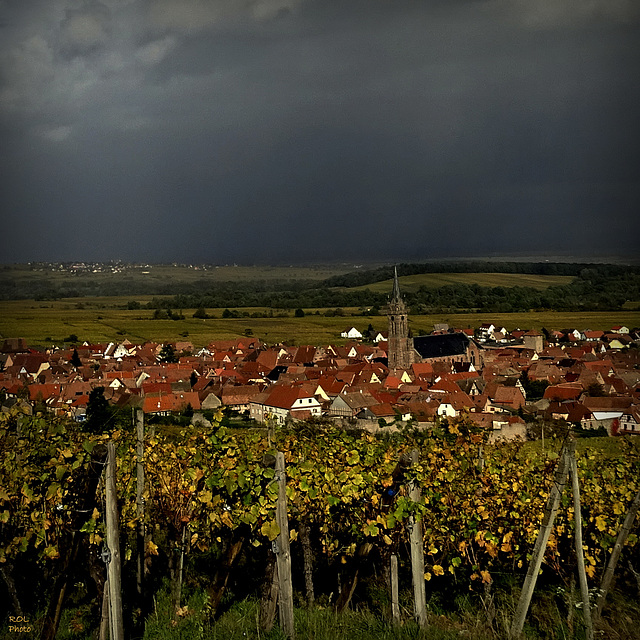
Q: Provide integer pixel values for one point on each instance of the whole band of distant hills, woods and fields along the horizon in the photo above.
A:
(496, 287)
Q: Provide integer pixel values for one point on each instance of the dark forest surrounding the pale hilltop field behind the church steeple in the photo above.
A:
(594, 287)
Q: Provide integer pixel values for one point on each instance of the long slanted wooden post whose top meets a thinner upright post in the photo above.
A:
(553, 502)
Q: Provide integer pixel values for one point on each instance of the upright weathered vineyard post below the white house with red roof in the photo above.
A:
(283, 552)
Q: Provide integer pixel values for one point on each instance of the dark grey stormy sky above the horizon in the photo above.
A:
(311, 130)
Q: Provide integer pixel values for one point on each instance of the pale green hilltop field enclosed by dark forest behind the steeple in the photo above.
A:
(410, 284)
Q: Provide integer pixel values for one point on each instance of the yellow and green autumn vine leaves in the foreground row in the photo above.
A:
(477, 519)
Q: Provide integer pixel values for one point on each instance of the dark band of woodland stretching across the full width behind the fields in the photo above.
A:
(596, 287)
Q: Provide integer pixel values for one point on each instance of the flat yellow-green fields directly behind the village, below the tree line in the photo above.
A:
(105, 319)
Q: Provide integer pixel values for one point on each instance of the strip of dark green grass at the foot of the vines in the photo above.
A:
(463, 616)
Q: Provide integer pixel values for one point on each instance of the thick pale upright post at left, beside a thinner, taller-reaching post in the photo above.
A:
(116, 625)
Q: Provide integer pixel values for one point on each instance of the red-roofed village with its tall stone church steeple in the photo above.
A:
(507, 382)
